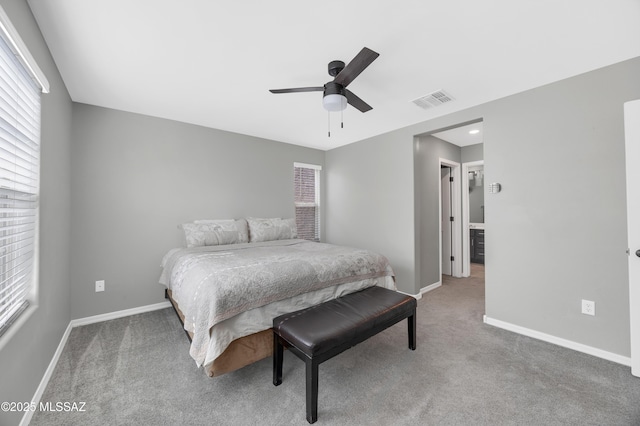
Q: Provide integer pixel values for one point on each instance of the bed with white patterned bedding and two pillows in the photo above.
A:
(234, 276)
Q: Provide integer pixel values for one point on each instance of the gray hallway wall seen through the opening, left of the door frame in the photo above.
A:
(429, 150)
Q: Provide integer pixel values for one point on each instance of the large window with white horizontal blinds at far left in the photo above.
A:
(20, 86)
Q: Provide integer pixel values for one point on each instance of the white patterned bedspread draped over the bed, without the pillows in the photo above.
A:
(227, 292)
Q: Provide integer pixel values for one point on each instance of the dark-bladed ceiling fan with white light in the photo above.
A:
(335, 93)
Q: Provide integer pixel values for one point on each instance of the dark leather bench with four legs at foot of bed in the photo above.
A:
(321, 332)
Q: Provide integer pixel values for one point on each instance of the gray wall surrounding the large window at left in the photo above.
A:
(25, 357)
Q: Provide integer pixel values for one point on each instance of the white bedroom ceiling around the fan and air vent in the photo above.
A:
(212, 62)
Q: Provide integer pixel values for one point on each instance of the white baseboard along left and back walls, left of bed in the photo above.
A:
(76, 323)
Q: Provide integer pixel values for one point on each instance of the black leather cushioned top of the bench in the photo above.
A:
(320, 328)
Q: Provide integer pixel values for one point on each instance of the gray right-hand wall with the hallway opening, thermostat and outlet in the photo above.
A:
(552, 240)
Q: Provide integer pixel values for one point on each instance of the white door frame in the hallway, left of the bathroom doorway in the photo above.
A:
(456, 267)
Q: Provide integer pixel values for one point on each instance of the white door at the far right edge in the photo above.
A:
(632, 138)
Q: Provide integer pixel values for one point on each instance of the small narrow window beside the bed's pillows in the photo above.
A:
(307, 200)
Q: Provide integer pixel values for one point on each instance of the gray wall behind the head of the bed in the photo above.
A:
(135, 178)
